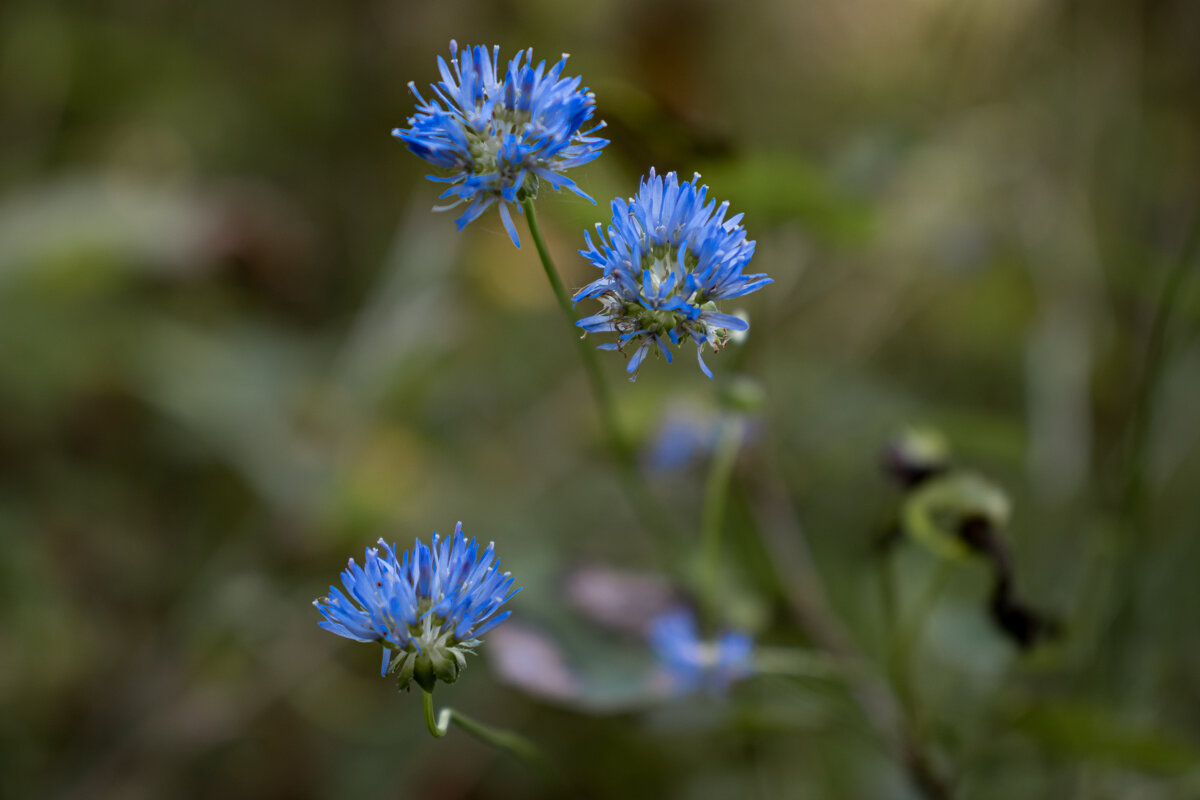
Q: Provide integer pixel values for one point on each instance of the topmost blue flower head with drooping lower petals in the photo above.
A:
(496, 137)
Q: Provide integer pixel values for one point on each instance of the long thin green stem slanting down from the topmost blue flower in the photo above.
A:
(644, 503)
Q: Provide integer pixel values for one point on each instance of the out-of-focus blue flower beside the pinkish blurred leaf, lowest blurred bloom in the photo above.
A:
(693, 664)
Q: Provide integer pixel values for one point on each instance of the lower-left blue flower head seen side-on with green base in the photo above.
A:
(430, 606)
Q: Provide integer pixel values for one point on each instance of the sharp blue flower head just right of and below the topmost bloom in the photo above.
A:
(670, 256)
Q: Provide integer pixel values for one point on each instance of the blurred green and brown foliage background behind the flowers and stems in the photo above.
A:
(236, 348)
